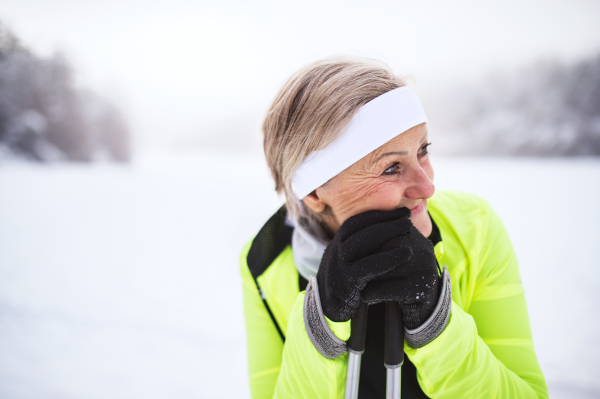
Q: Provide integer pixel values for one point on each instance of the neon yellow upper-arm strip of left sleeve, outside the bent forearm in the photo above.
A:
(263, 342)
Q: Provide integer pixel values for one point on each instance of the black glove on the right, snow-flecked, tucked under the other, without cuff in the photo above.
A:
(416, 284)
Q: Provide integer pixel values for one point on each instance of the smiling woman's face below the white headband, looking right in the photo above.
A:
(397, 174)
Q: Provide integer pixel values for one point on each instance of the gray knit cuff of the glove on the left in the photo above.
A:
(326, 342)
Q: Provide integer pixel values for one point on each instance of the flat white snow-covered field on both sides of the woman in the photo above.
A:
(122, 282)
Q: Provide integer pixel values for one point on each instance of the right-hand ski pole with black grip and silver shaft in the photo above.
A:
(394, 349)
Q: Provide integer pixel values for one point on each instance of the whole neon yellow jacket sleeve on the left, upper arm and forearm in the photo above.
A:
(293, 370)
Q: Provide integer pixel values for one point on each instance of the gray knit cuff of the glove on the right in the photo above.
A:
(436, 323)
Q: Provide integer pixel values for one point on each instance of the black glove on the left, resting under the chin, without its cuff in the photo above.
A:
(365, 247)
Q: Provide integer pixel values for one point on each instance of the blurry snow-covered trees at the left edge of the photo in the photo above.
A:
(43, 117)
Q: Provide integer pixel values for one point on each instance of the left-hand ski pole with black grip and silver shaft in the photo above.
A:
(356, 347)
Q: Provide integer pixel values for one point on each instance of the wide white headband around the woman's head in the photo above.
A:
(375, 123)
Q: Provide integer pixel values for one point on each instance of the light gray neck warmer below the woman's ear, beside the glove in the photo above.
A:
(309, 241)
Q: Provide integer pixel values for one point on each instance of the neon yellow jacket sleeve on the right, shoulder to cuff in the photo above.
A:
(487, 351)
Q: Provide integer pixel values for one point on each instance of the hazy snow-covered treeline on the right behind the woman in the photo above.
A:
(548, 109)
